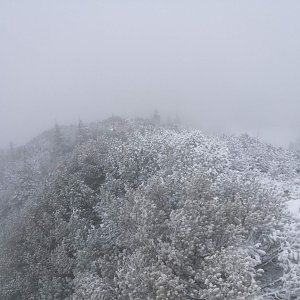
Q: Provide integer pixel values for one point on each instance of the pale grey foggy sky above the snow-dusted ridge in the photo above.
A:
(223, 65)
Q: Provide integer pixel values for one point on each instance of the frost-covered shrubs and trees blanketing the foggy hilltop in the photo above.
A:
(139, 209)
